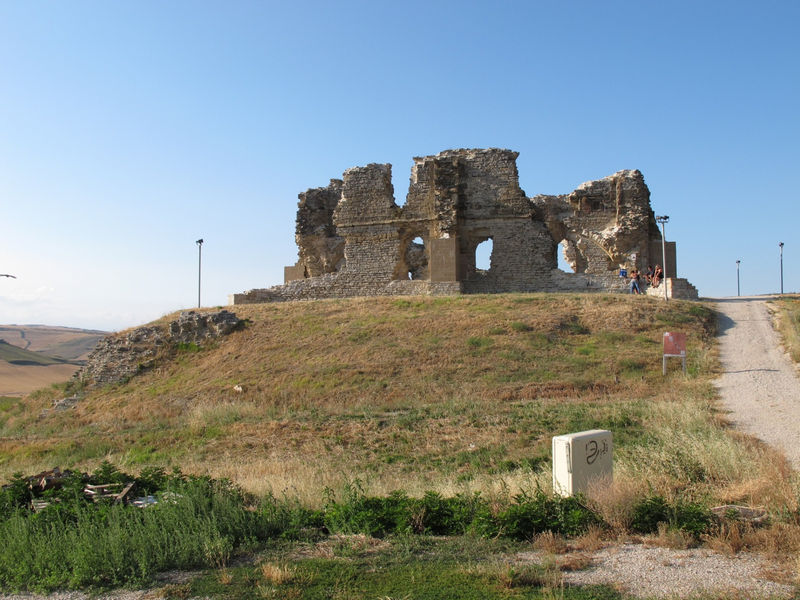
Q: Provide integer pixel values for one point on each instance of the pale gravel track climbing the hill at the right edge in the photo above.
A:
(759, 385)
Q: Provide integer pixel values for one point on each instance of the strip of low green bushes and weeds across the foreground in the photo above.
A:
(202, 522)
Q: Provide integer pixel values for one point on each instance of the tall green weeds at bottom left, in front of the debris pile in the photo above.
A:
(76, 544)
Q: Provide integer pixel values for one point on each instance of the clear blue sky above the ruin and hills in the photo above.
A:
(130, 130)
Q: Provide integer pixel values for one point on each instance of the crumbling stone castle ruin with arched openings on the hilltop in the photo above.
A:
(354, 240)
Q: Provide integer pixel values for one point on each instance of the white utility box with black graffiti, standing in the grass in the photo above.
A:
(579, 458)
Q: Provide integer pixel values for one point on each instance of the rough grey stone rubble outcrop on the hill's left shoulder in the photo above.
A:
(119, 356)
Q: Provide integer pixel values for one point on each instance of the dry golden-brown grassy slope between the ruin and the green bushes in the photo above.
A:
(456, 393)
